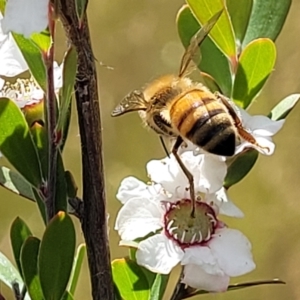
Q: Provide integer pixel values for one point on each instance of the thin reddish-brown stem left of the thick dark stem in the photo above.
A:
(51, 124)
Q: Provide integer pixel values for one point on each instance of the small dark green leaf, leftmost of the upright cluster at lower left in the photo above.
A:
(19, 232)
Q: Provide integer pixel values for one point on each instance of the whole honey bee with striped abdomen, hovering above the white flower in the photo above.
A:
(175, 106)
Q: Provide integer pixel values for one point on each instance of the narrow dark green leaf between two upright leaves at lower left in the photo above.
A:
(29, 261)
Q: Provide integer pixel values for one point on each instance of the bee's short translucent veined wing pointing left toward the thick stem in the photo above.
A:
(132, 102)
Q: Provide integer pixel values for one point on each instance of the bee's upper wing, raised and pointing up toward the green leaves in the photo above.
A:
(196, 41)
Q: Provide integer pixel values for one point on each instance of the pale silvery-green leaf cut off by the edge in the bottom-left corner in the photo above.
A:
(8, 272)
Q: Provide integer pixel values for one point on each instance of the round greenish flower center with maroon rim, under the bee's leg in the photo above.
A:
(187, 230)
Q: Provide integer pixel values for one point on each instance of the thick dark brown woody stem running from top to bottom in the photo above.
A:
(94, 225)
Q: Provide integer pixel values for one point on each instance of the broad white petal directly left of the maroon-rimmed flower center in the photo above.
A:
(137, 218)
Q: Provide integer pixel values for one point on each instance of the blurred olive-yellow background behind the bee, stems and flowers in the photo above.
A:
(135, 41)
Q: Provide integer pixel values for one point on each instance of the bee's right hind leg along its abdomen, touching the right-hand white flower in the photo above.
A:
(238, 123)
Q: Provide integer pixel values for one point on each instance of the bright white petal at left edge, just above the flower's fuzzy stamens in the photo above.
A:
(12, 62)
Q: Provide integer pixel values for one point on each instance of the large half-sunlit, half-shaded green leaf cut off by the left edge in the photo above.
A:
(16, 143)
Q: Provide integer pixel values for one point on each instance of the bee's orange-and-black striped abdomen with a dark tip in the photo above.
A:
(202, 119)
